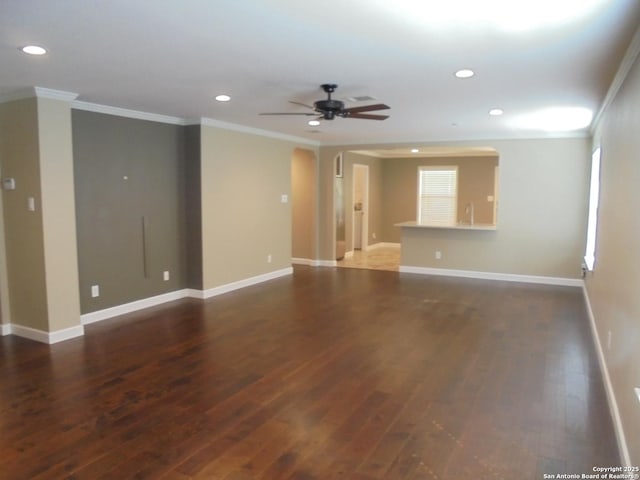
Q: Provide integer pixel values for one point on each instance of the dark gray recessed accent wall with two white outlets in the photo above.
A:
(130, 184)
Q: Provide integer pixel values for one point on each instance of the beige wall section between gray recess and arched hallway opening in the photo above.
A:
(243, 219)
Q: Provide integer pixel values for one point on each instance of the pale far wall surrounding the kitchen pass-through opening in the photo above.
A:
(543, 202)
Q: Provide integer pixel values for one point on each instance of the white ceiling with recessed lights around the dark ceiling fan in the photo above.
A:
(171, 57)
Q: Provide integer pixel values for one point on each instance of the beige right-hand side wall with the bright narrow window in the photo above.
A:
(614, 284)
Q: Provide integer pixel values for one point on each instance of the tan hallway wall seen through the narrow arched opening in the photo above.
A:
(303, 204)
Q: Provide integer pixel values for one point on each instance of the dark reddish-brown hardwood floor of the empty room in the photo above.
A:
(328, 374)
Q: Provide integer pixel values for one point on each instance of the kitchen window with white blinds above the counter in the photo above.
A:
(437, 195)
